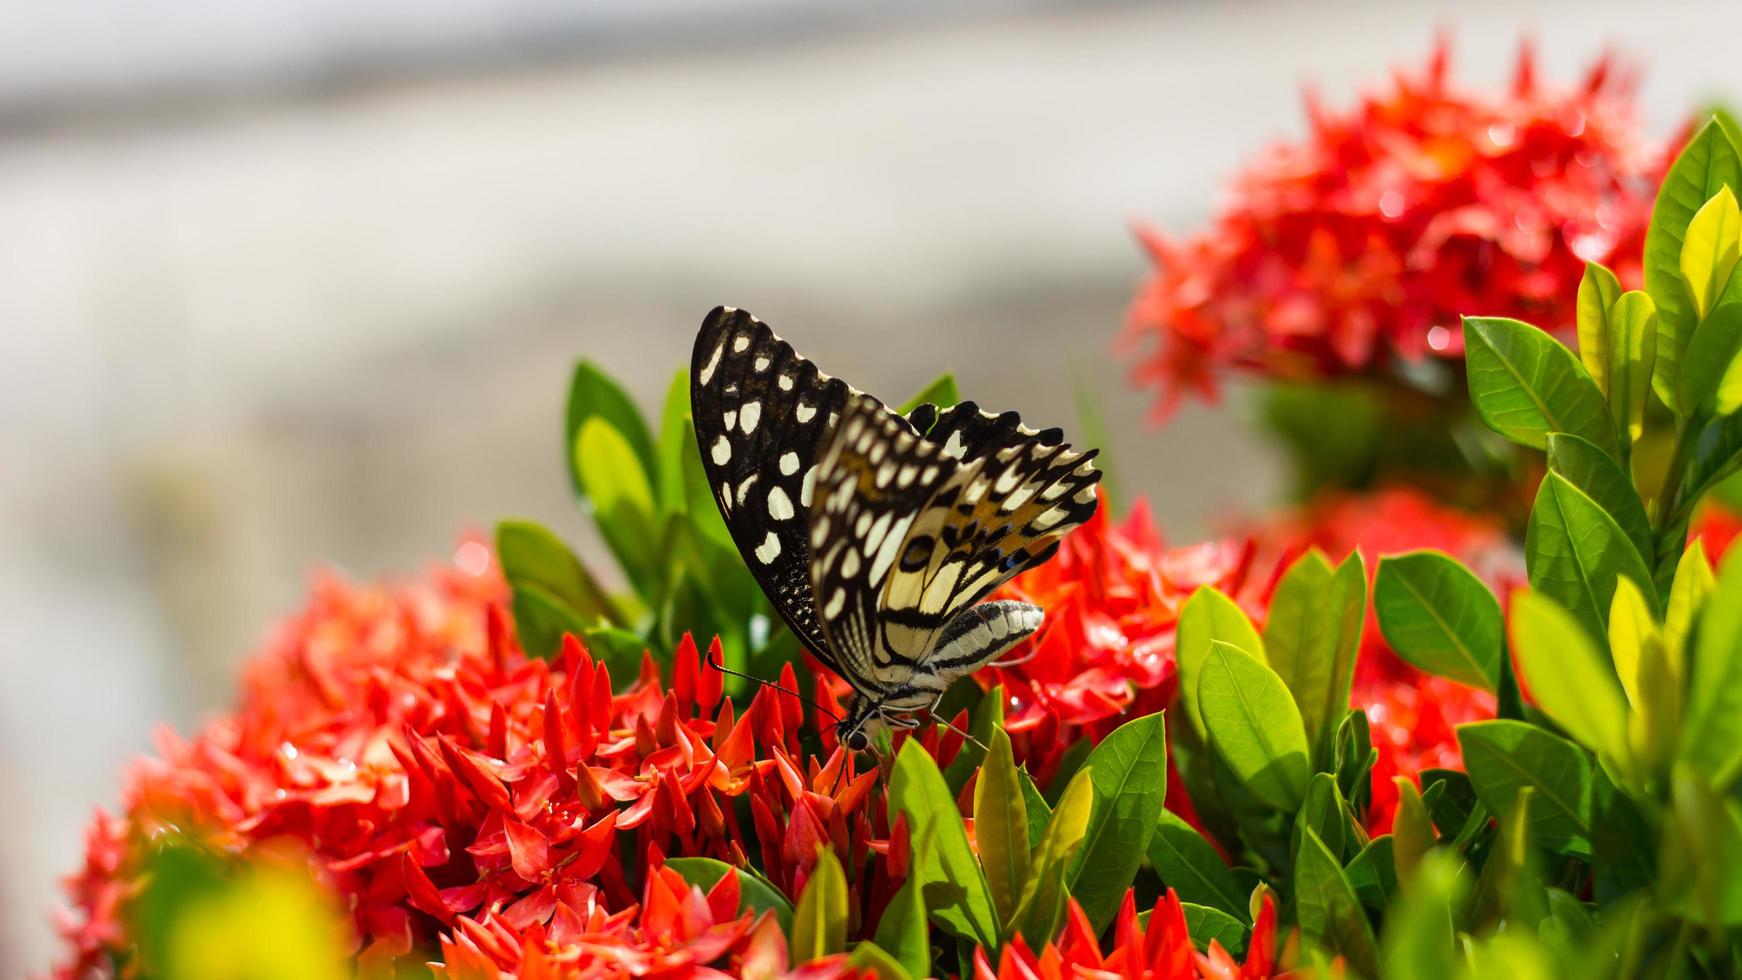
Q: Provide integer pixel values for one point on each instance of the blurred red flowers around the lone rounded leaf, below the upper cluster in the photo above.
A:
(1410, 715)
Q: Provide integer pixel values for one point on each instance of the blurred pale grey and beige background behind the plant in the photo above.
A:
(299, 286)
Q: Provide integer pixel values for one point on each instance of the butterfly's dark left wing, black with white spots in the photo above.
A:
(762, 415)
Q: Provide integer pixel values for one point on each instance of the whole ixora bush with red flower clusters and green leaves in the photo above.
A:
(1372, 735)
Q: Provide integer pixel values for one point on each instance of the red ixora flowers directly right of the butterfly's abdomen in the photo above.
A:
(1107, 652)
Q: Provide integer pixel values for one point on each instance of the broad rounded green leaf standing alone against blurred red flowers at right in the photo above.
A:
(1440, 617)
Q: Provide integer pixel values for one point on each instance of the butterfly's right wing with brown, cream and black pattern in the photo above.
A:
(910, 534)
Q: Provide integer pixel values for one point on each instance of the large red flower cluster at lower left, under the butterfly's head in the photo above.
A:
(501, 810)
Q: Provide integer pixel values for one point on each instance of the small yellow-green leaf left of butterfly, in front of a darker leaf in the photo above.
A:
(616, 485)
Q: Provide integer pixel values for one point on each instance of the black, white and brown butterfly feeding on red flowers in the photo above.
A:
(877, 535)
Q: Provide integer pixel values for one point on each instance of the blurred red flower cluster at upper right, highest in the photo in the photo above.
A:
(1360, 246)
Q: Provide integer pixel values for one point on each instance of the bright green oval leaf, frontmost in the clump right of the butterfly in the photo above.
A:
(1255, 727)
